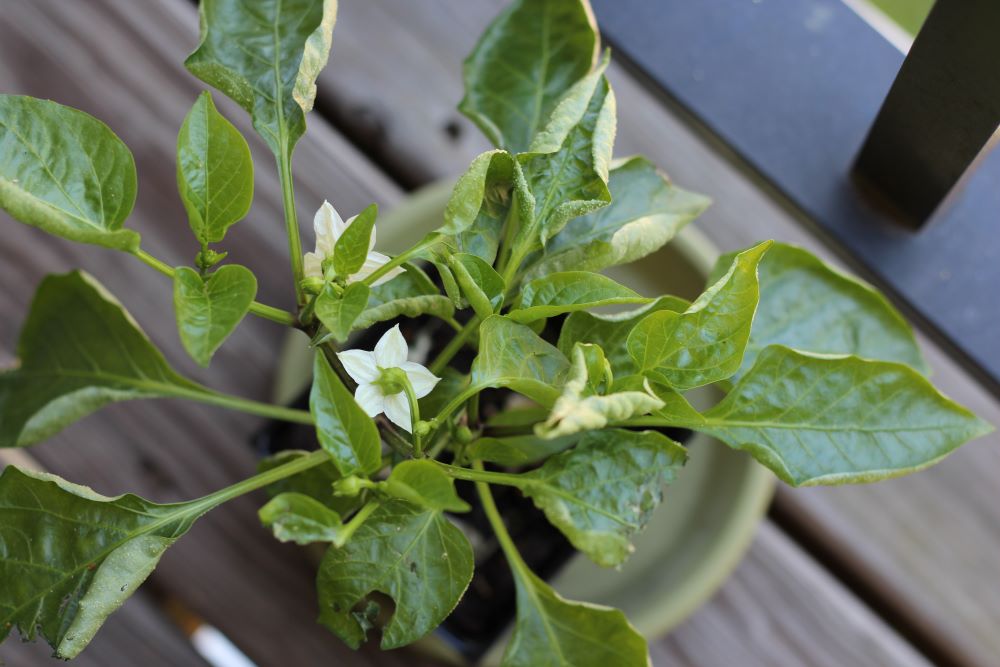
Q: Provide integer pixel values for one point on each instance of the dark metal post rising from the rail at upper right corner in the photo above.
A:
(940, 113)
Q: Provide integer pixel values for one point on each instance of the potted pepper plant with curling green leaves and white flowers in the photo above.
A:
(823, 382)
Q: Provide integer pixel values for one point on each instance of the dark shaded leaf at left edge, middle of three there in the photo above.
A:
(79, 350)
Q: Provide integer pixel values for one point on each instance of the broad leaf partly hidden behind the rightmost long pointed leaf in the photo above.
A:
(809, 305)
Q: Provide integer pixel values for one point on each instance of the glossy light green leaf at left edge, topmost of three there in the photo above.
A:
(65, 172)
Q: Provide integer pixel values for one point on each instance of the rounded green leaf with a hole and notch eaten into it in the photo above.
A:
(413, 555)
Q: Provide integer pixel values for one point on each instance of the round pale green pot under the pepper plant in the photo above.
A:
(709, 515)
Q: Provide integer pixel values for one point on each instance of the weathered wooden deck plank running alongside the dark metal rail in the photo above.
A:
(925, 544)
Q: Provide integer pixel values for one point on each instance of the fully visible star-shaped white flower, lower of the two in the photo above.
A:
(375, 391)
